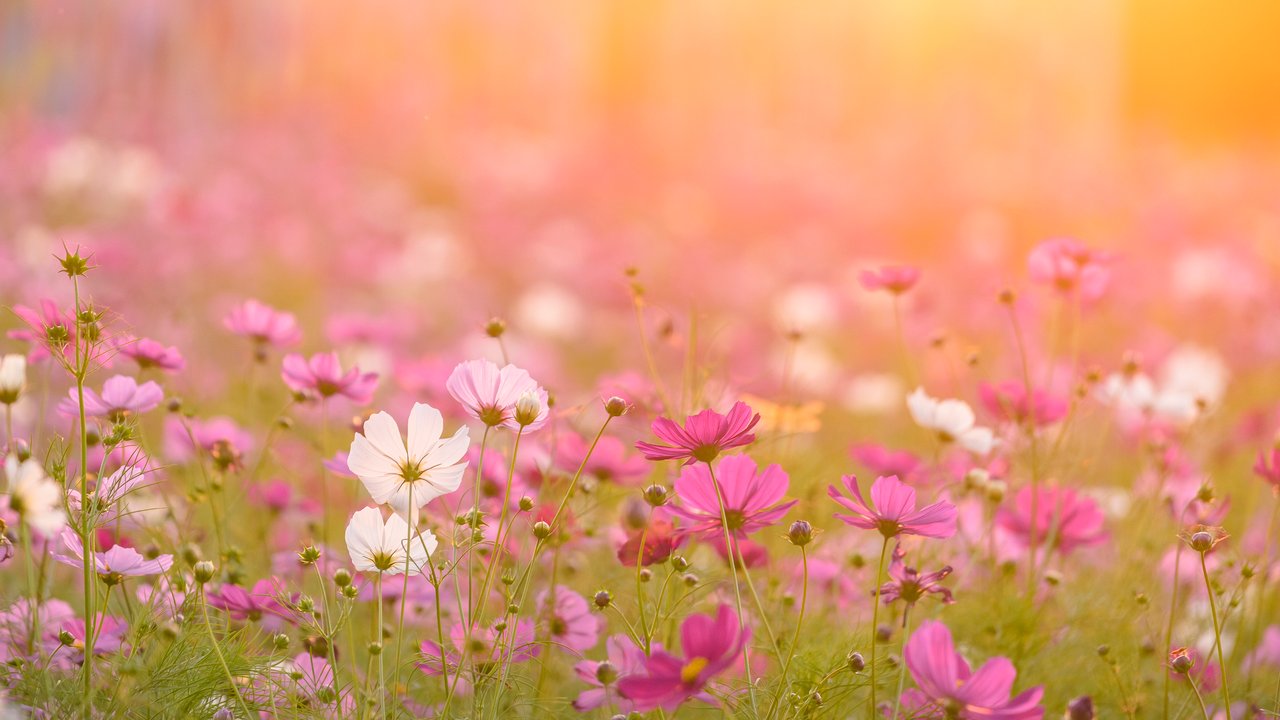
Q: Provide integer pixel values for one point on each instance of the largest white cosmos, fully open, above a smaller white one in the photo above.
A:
(409, 473)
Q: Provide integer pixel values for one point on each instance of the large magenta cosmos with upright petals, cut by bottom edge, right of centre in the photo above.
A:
(950, 690)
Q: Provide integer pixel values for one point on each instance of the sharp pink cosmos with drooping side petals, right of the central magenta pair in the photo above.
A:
(893, 511)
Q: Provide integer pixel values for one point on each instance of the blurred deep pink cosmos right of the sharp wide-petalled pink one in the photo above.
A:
(1076, 521)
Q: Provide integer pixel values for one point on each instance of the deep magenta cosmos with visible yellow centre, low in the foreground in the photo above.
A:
(711, 646)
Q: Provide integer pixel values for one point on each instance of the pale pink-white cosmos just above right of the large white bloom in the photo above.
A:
(504, 397)
